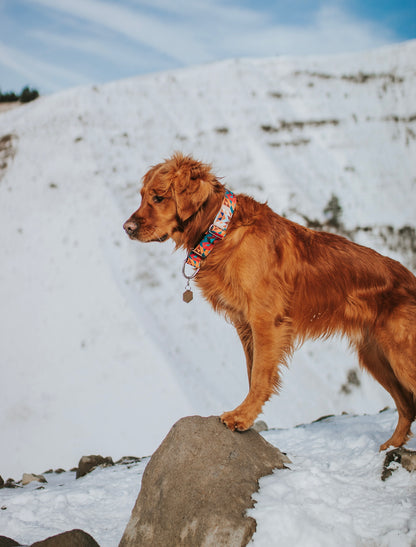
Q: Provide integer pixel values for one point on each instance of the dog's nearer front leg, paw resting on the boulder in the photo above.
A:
(271, 346)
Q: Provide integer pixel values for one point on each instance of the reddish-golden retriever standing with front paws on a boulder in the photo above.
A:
(280, 283)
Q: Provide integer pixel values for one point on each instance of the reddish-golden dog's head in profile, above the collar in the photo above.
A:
(172, 192)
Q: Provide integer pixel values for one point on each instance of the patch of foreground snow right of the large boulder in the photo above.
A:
(333, 494)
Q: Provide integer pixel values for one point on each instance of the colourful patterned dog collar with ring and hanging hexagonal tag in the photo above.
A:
(216, 232)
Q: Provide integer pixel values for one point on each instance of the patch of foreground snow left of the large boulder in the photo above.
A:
(99, 503)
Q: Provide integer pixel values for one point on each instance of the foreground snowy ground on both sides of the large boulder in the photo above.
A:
(331, 496)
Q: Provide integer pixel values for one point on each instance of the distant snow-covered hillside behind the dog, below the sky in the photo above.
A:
(98, 352)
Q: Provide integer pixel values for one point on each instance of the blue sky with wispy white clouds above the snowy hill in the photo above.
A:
(56, 44)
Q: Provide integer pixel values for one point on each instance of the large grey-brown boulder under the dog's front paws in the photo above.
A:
(198, 485)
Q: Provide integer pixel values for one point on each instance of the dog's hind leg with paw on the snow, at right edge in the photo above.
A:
(373, 359)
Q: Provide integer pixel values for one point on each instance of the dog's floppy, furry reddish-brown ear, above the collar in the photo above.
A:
(192, 185)
